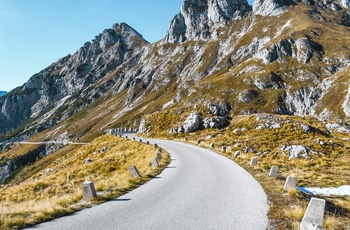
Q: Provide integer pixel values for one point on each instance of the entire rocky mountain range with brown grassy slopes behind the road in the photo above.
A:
(284, 57)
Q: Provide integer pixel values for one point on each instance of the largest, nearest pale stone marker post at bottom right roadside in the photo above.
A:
(313, 217)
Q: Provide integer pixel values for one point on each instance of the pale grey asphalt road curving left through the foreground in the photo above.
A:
(198, 190)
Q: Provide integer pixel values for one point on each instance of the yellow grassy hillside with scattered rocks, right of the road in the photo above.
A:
(263, 136)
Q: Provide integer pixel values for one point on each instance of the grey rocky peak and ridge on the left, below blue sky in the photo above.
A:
(69, 76)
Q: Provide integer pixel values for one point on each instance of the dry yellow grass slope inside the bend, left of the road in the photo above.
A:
(58, 192)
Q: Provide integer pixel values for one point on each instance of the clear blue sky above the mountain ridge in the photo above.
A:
(36, 33)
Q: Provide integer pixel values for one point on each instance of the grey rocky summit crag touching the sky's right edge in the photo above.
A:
(197, 16)
